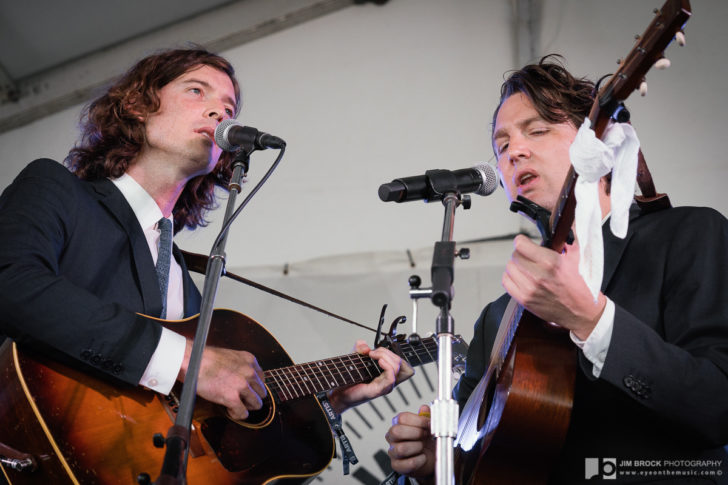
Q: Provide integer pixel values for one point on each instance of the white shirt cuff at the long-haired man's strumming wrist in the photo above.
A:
(163, 367)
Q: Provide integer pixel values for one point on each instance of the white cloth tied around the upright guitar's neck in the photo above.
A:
(593, 158)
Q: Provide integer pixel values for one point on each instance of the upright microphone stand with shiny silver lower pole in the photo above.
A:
(444, 422)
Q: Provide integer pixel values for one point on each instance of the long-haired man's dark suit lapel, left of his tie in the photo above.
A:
(114, 201)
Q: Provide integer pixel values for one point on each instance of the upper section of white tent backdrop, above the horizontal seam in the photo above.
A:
(371, 93)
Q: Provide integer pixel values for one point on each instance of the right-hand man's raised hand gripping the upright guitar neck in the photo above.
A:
(548, 284)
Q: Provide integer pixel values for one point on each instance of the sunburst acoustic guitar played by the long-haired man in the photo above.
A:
(78, 429)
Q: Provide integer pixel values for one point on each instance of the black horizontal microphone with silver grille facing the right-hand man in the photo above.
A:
(481, 179)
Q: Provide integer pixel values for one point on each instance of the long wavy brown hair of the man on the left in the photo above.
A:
(113, 131)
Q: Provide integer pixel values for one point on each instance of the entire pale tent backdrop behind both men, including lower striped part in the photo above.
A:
(370, 93)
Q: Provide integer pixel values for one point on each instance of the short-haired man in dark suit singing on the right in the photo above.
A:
(652, 374)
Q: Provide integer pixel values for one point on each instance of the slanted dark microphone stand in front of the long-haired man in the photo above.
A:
(174, 465)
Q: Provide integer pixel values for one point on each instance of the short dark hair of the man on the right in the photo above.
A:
(556, 94)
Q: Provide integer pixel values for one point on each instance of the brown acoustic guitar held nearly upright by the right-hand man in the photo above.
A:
(514, 424)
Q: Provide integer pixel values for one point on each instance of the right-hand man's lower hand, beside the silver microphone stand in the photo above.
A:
(411, 445)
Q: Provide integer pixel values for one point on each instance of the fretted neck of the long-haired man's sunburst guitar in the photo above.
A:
(311, 378)
